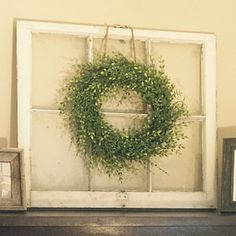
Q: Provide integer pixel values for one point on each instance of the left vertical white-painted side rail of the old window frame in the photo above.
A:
(24, 73)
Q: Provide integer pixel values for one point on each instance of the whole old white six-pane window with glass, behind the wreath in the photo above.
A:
(55, 171)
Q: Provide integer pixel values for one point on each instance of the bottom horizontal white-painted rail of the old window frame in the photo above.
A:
(83, 199)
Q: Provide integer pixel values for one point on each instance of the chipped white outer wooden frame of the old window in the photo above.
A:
(86, 199)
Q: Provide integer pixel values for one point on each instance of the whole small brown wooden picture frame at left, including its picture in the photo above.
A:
(14, 197)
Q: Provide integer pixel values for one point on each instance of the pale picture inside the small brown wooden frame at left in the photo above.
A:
(5, 180)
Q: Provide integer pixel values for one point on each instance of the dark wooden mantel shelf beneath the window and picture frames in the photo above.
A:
(117, 223)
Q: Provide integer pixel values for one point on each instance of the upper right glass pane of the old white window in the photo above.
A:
(183, 65)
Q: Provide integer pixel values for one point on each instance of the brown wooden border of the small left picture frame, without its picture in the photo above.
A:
(17, 201)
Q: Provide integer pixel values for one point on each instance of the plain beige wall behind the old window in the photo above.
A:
(213, 16)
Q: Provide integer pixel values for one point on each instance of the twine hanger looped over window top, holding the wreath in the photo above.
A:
(132, 41)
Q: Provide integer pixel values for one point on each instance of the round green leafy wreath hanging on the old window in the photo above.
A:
(106, 146)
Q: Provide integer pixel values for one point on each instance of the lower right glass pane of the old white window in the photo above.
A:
(184, 170)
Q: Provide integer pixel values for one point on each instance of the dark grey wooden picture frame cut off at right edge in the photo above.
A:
(228, 178)
